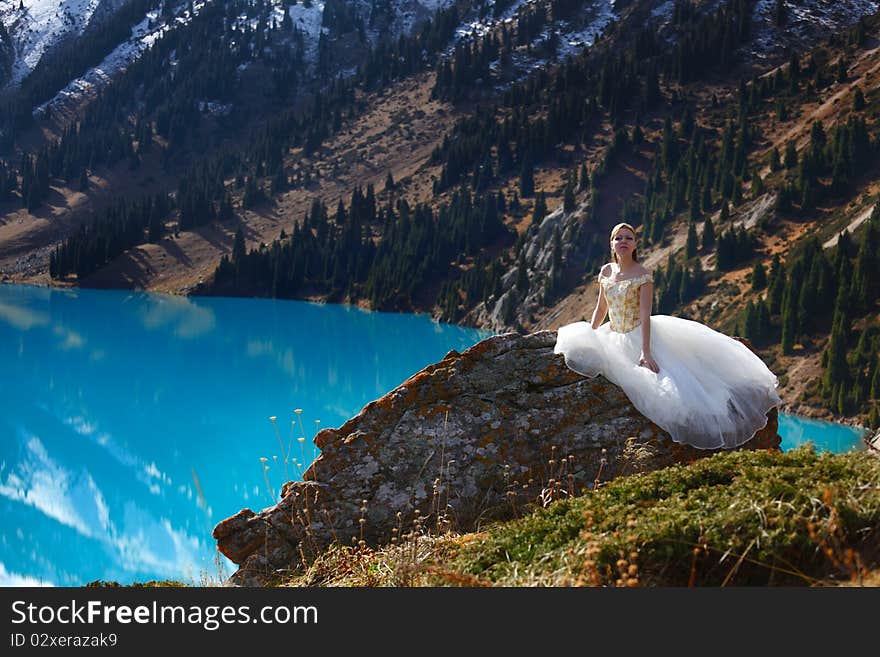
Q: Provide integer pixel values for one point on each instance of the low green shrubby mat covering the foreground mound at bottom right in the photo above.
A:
(737, 518)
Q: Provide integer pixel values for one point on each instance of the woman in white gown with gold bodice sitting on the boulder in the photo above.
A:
(700, 386)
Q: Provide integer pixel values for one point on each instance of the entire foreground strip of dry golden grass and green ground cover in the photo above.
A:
(742, 518)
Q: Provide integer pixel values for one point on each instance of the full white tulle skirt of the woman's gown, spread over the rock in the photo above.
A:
(711, 391)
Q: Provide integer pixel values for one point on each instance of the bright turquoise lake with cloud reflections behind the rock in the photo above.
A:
(131, 423)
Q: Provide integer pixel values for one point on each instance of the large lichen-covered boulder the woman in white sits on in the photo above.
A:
(476, 437)
